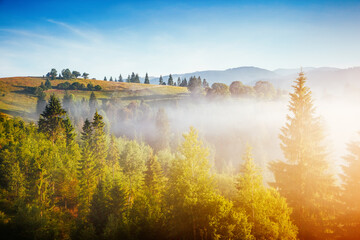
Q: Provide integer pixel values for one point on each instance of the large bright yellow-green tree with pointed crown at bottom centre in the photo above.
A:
(196, 210)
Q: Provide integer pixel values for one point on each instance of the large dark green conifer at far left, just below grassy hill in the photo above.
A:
(51, 121)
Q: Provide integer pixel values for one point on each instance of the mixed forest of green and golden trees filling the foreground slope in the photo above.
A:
(89, 171)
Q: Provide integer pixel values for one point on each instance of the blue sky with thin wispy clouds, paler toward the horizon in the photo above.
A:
(108, 38)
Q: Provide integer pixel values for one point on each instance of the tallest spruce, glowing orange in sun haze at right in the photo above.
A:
(303, 179)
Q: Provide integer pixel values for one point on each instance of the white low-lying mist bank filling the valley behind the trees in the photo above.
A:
(226, 125)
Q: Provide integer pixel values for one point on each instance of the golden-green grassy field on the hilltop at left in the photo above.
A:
(16, 101)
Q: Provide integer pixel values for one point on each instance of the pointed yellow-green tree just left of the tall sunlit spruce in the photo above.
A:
(267, 210)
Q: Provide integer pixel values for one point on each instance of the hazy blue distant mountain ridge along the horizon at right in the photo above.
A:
(325, 78)
